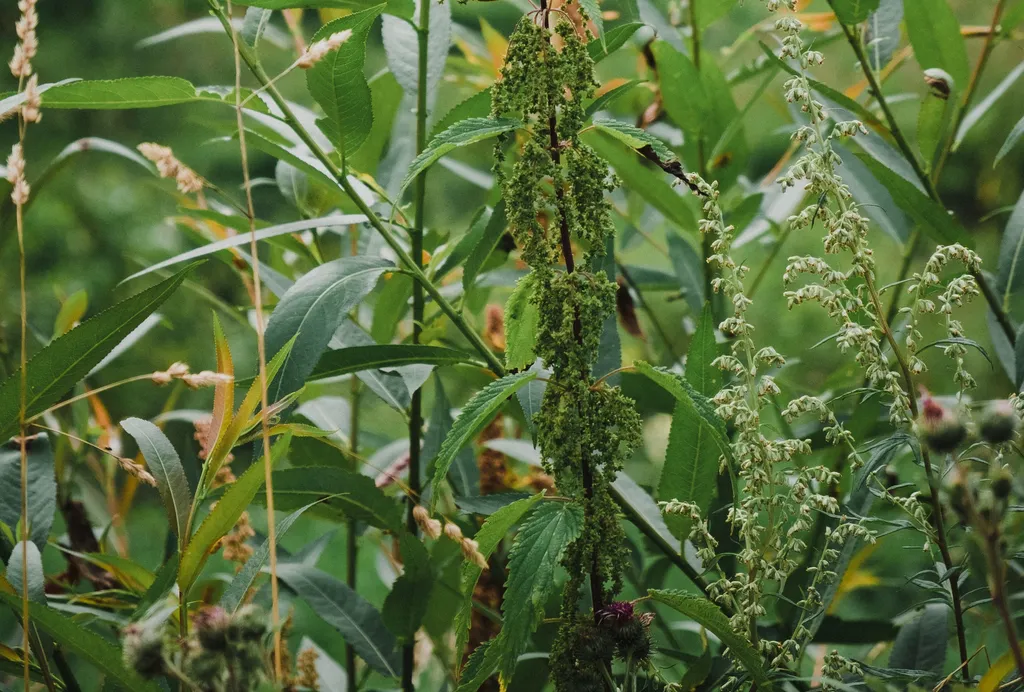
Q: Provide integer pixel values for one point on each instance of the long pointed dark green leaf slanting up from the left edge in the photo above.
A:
(65, 362)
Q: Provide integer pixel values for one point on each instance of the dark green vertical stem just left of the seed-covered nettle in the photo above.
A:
(416, 406)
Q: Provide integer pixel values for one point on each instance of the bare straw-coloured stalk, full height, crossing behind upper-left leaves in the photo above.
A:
(262, 352)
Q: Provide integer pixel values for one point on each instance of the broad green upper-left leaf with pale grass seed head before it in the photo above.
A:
(338, 85)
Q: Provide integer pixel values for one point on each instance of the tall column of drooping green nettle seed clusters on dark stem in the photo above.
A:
(556, 198)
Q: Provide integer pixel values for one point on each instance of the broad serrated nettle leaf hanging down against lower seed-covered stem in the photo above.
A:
(535, 556)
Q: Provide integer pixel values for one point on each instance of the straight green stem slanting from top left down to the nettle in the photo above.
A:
(405, 259)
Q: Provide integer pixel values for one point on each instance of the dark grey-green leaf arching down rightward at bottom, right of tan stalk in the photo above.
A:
(357, 621)
